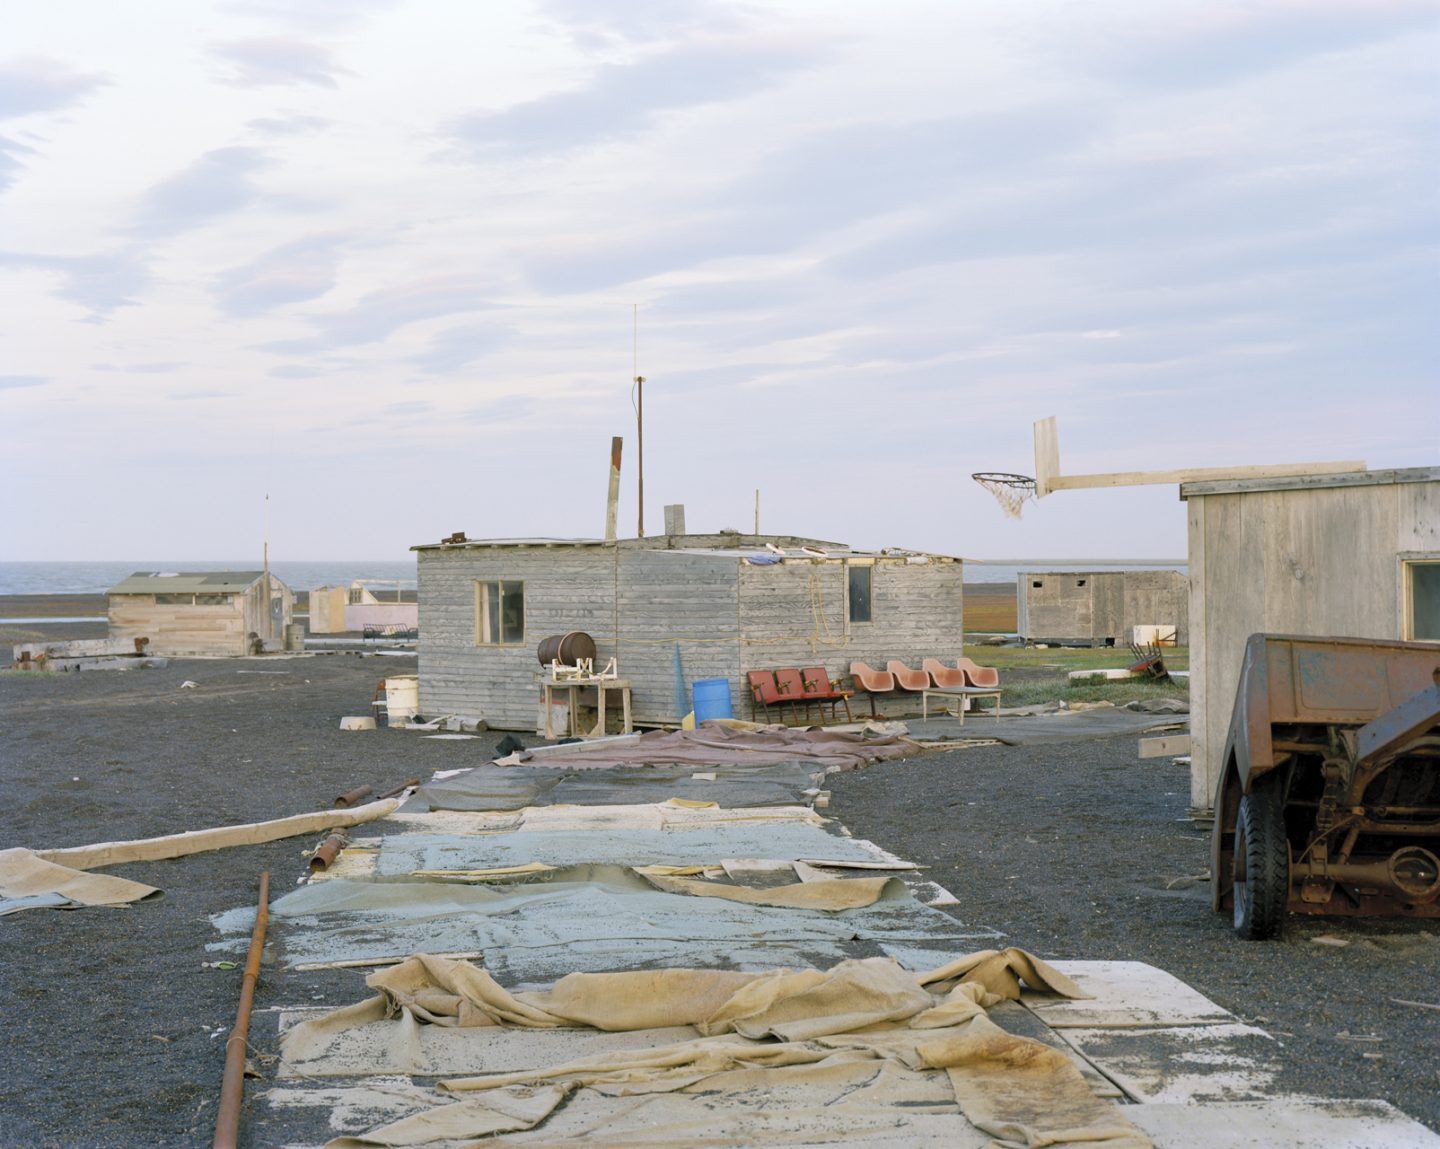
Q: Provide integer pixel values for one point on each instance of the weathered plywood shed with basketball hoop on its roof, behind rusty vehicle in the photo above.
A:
(1353, 555)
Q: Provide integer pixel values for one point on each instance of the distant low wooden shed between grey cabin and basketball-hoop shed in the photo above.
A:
(1099, 608)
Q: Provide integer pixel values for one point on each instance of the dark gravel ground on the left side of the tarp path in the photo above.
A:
(113, 1033)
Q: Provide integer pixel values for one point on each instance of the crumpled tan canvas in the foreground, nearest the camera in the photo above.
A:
(865, 1036)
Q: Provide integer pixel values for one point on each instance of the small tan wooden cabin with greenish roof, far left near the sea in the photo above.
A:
(202, 613)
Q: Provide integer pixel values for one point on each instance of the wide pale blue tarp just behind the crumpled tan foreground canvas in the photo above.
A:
(584, 919)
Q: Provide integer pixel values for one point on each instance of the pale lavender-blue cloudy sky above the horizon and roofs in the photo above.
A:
(387, 261)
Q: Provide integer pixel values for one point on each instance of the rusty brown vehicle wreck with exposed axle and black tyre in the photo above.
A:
(1330, 800)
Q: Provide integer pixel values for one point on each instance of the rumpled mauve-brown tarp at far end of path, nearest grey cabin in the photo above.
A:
(715, 745)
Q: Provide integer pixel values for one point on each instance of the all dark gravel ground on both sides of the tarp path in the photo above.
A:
(113, 1032)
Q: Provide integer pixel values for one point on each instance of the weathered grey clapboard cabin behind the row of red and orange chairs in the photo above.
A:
(725, 603)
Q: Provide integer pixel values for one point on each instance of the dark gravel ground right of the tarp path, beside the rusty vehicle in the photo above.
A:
(1084, 852)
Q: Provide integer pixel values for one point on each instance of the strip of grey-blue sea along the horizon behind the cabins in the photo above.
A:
(97, 578)
